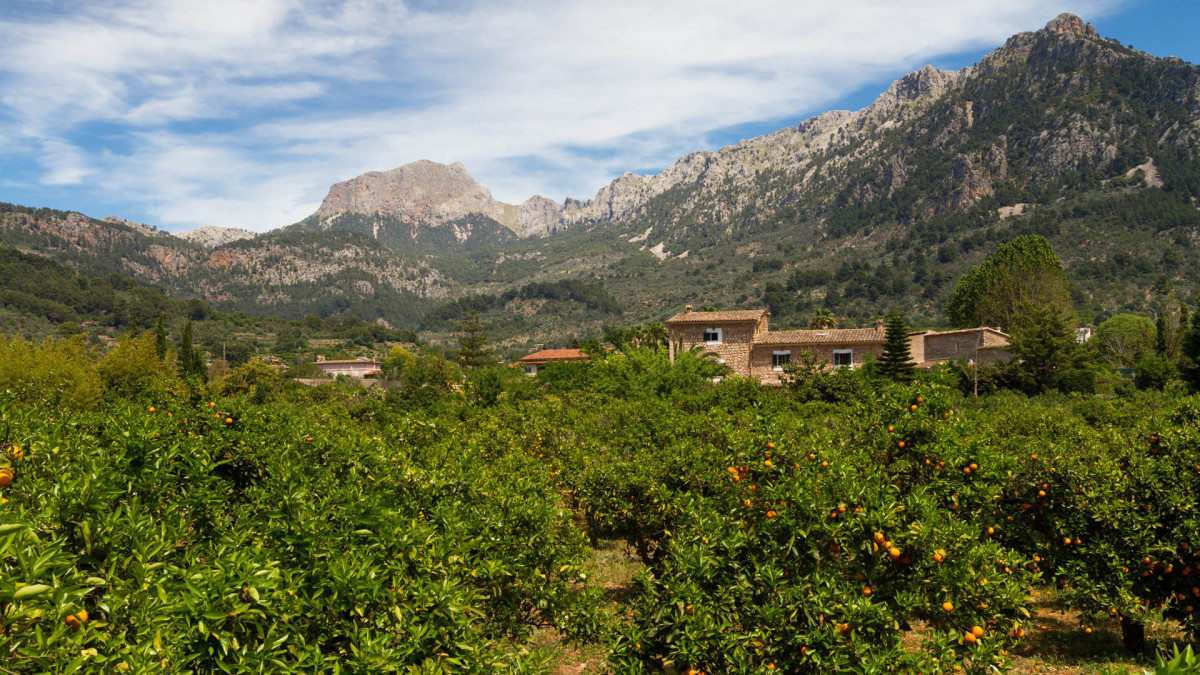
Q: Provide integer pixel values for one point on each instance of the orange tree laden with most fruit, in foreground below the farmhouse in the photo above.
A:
(837, 529)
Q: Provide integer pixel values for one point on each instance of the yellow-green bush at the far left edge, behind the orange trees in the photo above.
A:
(58, 374)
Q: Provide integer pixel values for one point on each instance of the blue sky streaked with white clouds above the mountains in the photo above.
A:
(242, 114)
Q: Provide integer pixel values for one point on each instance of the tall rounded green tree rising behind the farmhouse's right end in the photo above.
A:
(1022, 272)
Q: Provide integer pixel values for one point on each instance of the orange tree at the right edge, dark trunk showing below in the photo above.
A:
(1106, 499)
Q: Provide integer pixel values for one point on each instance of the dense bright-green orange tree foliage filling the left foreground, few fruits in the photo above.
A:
(233, 539)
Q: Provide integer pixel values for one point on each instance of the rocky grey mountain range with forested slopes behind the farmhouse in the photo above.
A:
(1059, 133)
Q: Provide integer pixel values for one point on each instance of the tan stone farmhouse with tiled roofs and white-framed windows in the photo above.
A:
(742, 342)
